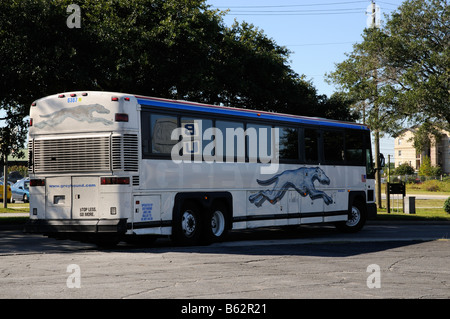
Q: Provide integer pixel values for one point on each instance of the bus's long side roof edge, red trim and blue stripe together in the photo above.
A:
(248, 113)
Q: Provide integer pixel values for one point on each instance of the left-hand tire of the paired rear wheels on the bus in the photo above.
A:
(187, 229)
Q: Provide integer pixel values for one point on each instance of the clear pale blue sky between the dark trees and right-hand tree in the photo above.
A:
(318, 33)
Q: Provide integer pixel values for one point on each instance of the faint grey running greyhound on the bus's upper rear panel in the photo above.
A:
(81, 113)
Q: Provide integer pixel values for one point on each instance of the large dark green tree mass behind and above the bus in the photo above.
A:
(164, 48)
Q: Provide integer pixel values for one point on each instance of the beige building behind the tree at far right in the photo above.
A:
(405, 152)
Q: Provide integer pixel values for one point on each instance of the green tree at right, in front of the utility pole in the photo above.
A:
(400, 72)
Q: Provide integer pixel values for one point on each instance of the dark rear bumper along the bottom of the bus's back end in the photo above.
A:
(104, 226)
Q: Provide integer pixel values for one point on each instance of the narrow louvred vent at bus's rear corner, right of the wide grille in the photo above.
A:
(125, 152)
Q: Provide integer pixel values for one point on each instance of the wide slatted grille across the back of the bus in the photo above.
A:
(87, 154)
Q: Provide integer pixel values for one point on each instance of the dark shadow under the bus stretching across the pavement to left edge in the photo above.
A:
(320, 241)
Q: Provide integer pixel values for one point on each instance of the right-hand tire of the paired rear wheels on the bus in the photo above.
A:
(217, 223)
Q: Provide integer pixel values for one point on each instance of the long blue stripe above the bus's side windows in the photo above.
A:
(249, 114)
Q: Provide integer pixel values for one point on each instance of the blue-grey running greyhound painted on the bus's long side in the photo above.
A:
(301, 179)
